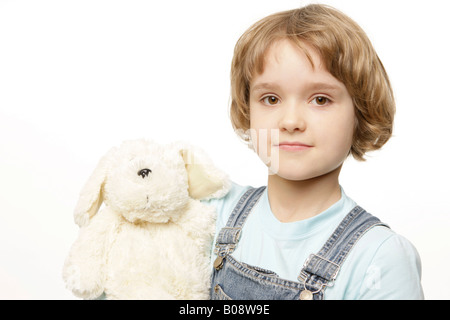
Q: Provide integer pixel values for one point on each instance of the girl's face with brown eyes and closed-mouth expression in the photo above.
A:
(301, 118)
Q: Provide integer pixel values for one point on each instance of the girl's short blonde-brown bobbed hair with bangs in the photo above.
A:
(347, 54)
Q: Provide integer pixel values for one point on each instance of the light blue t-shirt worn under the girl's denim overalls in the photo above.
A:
(382, 265)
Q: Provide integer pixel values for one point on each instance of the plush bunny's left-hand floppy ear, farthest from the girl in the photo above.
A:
(91, 196)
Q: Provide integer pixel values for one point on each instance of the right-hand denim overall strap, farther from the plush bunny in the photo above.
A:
(322, 268)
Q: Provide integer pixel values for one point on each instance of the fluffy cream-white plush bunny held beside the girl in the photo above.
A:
(152, 238)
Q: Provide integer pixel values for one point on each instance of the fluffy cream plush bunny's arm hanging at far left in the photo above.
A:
(84, 268)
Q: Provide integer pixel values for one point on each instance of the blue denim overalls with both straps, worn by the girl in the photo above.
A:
(232, 279)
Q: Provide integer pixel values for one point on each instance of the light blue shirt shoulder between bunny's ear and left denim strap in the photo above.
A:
(225, 205)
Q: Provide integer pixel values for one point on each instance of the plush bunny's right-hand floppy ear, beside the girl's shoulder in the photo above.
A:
(205, 180)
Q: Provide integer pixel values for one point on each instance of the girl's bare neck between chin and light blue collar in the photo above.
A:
(298, 200)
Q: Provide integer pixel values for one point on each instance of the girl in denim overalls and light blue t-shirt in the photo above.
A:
(308, 89)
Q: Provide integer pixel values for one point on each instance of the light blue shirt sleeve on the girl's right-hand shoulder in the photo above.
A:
(384, 265)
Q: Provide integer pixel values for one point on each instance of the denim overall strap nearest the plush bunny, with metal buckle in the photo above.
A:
(229, 235)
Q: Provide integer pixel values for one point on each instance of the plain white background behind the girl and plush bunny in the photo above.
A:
(78, 77)
